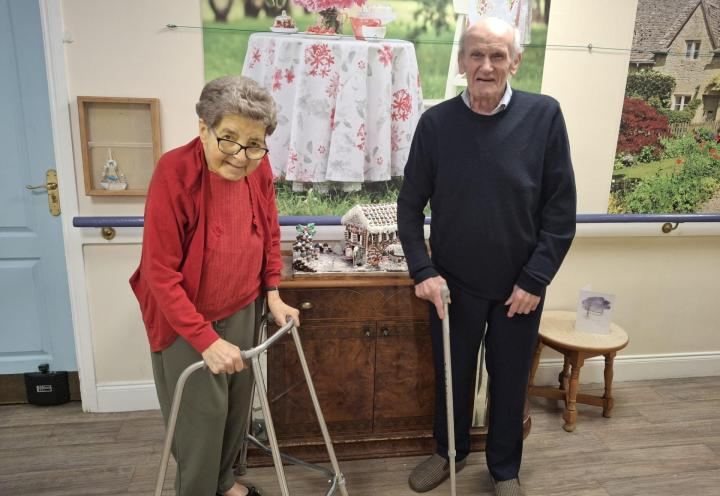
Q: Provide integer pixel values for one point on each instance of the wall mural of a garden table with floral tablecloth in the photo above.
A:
(312, 82)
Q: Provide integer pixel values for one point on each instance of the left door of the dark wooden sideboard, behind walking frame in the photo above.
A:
(341, 359)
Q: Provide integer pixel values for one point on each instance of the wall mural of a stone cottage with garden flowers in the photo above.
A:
(668, 150)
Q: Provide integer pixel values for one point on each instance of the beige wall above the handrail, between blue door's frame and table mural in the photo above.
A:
(122, 49)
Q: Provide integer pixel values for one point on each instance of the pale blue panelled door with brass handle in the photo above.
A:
(35, 321)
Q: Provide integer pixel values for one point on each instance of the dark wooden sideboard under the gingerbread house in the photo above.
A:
(367, 343)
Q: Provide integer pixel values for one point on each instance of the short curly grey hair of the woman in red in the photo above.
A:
(238, 95)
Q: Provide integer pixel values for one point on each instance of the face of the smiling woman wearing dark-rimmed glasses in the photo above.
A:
(239, 129)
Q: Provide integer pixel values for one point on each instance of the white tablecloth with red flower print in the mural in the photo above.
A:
(347, 109)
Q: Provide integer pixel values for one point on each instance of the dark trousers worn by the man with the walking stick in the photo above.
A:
(509, 345)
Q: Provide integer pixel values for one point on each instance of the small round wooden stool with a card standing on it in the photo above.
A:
(557, 331)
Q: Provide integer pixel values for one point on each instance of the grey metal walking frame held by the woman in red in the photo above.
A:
(336, 478)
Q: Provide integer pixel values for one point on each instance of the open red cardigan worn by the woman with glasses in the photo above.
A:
(166, 282)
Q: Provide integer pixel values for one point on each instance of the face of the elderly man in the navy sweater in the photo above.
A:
(487, 61)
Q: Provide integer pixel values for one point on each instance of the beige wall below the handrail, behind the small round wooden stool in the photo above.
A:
(663, 287)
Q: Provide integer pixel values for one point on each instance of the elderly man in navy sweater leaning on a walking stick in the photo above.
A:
(495, 165)
